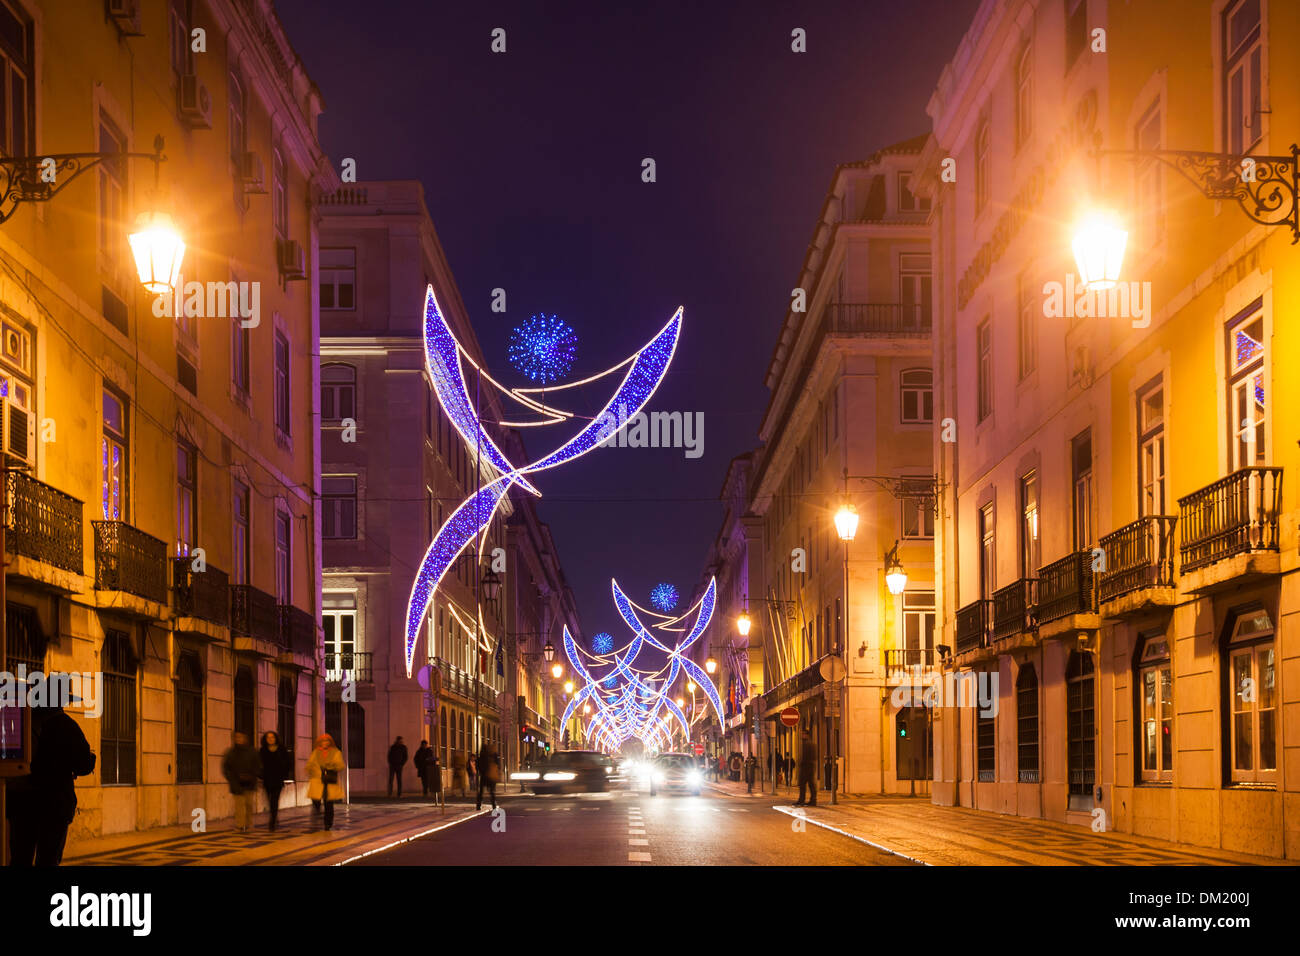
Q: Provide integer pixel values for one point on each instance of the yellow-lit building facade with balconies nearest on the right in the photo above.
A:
(1117, 547)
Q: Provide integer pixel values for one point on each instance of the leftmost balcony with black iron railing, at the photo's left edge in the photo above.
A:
(44, 531)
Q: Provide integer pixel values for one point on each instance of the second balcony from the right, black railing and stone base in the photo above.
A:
(1139, 568)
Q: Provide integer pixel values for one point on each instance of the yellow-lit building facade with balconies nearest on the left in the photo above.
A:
(162, 525)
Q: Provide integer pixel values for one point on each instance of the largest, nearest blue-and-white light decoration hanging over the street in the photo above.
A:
(444, 360)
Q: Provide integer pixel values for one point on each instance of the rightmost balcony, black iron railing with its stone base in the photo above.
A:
(1230, 530)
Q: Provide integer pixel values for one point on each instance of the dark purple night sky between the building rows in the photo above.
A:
(531, 165)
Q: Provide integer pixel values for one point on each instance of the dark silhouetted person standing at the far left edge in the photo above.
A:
(41, 806)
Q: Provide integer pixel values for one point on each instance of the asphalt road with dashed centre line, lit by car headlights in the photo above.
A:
(627, 828)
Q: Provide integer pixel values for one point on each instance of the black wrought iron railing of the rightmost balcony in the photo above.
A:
(1236, 514)
